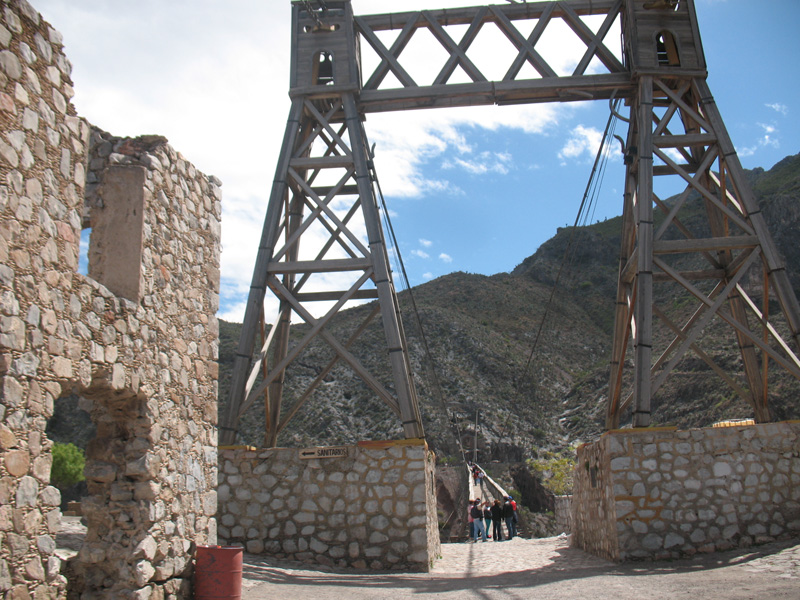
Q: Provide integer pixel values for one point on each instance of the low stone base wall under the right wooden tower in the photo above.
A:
(664, 493)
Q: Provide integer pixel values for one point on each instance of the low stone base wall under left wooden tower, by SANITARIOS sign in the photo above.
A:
(373, 509)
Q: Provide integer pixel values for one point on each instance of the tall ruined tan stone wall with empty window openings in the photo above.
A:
(137, 339)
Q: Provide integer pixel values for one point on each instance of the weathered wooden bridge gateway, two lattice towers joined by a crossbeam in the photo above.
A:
(324, 183)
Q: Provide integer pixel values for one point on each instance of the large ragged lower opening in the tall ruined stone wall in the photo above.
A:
(104, 425)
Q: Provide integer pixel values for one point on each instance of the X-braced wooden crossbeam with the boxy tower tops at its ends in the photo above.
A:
(663, 40)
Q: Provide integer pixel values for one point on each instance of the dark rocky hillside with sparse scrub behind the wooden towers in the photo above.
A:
(480, 332)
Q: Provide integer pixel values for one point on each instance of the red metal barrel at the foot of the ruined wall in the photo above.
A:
(218, 573)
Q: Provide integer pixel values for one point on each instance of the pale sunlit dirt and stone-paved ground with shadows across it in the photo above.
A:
(542, 569)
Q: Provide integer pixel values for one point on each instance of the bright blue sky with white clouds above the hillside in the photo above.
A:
(474, 190)
